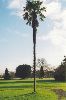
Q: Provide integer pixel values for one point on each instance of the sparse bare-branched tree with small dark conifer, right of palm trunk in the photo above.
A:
(45, 69)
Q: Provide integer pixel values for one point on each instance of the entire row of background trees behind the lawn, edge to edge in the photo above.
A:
(42, 71)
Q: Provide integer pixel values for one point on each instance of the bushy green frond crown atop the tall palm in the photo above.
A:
(32, 11)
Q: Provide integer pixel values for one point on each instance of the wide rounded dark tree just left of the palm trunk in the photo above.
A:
(23, 71)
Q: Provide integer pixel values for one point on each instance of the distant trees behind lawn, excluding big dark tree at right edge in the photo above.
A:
(26, 71)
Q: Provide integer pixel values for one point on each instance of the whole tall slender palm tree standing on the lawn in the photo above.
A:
(33, 12)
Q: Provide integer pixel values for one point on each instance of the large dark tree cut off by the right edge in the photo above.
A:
(60, 72)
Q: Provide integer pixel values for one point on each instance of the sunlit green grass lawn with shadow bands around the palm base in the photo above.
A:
(46, 89)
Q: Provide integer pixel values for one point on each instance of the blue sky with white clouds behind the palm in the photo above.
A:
(16, 45)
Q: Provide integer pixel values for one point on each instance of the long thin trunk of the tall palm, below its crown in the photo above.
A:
(34, 57)
